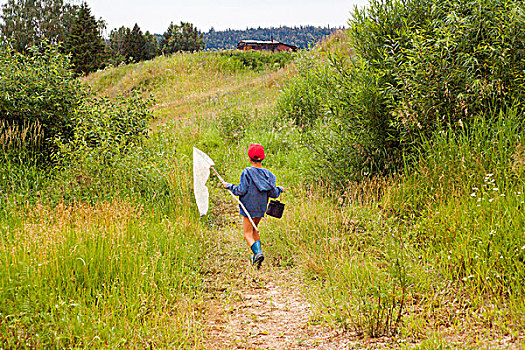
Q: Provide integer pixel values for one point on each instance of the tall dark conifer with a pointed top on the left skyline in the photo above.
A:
(85, 42)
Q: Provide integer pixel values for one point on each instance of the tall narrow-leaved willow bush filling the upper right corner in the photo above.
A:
(444, 61)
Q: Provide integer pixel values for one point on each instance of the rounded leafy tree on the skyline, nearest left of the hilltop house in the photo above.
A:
(183, 37)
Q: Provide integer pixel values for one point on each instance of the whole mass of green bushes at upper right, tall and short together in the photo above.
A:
(414, 66)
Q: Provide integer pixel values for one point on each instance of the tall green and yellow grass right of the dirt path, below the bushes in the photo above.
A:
(444, 244)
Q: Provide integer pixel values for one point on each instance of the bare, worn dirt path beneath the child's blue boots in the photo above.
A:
(260, 309)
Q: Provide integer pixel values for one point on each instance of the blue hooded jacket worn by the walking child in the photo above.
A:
(256, 186)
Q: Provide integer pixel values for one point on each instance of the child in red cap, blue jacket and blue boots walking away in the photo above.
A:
(256, 186)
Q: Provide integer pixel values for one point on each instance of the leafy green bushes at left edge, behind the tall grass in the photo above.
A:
(51, 125)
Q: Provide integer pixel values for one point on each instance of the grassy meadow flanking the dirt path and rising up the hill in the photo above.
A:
(107, 249)
